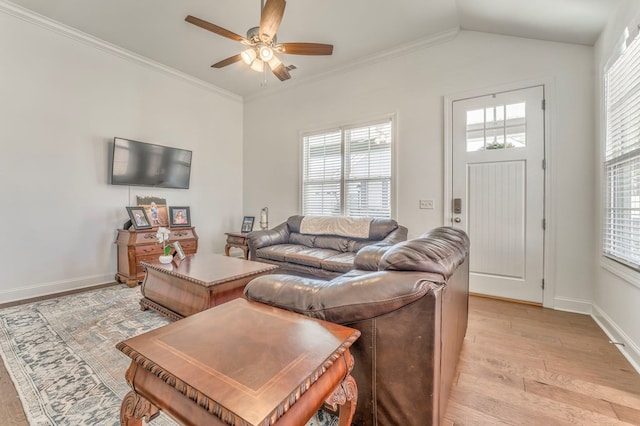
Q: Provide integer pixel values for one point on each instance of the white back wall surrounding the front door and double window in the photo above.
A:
(413, 87)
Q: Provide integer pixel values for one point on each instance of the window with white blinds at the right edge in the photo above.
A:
(621, 236)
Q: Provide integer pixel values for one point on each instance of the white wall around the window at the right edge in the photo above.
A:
(617, 296)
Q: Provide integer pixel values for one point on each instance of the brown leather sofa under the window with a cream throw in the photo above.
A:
(324, 251)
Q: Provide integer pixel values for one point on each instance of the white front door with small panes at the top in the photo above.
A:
(498, 190)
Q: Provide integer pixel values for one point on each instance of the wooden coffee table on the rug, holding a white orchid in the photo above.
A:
(198, 282)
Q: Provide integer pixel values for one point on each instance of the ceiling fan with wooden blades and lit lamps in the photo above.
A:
(262, 44)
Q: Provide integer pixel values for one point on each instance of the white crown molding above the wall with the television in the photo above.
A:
(34, 18)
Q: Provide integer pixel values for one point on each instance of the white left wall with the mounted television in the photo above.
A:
(62, 100)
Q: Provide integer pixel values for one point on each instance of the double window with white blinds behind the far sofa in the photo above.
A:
(347, 171)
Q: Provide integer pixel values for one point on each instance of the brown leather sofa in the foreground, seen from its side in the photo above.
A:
(410, 302)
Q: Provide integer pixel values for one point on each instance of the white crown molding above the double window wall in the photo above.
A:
(432, 40)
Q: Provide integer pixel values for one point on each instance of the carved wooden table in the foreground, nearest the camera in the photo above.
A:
(240, 363)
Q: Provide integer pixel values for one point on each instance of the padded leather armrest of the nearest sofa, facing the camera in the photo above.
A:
(352, 297)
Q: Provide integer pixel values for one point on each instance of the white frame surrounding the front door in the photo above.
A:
(548, 300)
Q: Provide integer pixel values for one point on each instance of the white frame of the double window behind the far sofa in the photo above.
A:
(342, 128)
